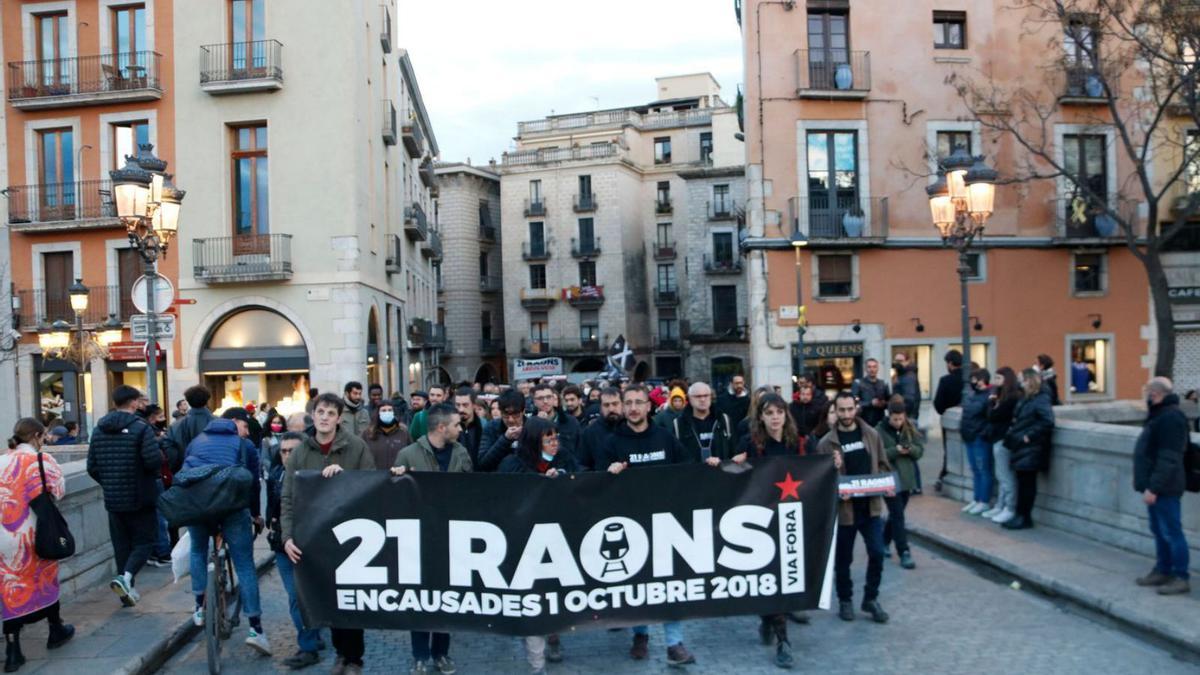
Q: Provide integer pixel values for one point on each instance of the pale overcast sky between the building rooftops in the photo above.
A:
(485, 65)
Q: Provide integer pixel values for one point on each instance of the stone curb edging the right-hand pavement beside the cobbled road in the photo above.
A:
(1057, 588)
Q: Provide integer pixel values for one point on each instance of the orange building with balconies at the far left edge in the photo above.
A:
(87, 82)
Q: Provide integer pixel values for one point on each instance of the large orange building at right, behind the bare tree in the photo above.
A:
(845, 110)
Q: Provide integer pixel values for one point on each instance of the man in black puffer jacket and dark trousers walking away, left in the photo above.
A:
(125, 461)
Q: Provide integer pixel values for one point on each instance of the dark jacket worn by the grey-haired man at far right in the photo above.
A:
(1159, 456)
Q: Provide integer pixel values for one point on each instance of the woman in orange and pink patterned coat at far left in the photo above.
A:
(31, 590)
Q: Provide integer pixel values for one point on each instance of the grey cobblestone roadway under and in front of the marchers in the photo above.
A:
(945, 619)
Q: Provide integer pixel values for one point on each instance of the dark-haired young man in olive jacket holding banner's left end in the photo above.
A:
(328, 449)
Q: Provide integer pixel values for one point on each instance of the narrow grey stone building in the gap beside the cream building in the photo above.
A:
(470, 301)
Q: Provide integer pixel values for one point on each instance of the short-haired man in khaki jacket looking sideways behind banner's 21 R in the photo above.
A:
(437, 451)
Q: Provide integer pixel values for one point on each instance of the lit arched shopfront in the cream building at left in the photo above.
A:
(256, 355)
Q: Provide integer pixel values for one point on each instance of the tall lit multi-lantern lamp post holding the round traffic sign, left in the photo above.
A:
(148, 204)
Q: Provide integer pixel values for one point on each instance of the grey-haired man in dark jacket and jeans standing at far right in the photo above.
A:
(1159, 475)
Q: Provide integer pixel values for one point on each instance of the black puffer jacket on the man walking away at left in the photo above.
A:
(125, 459)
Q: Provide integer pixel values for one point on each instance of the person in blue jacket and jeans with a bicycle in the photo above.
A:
(225, 443)
